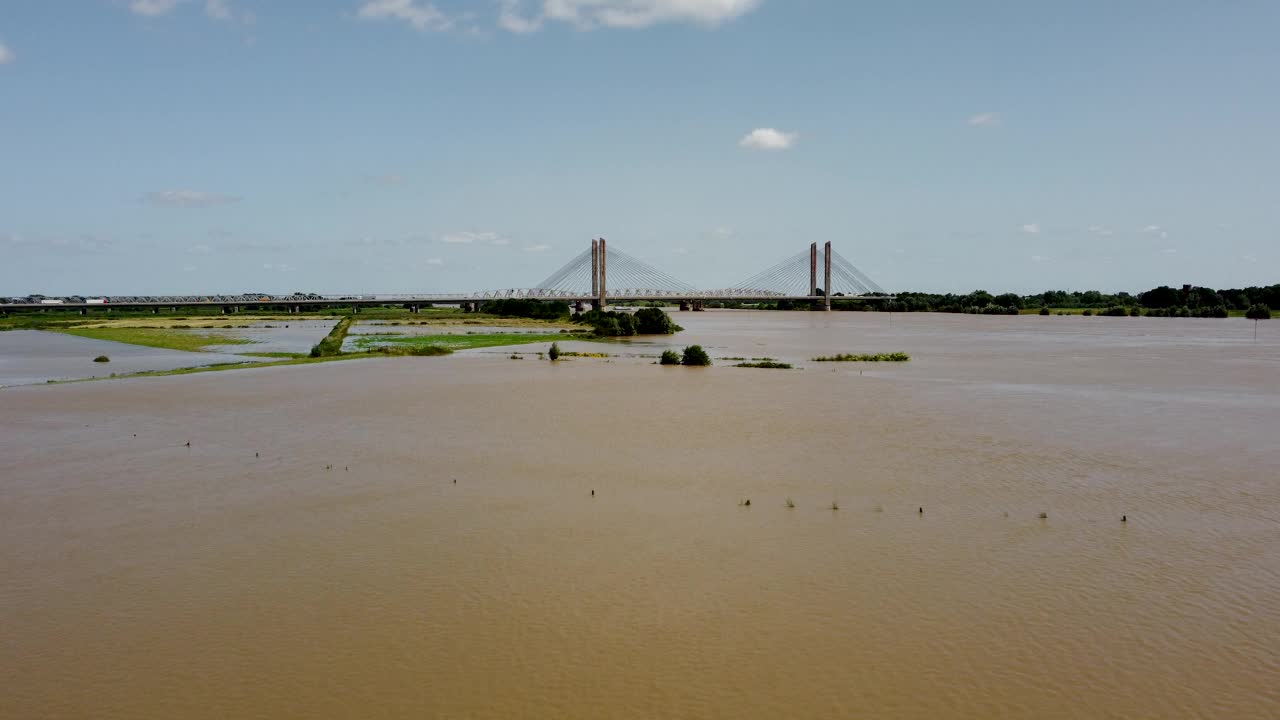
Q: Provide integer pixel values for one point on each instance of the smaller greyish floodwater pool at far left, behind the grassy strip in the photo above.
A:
(38, 357)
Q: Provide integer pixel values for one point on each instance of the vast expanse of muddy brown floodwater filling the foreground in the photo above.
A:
(310, 554)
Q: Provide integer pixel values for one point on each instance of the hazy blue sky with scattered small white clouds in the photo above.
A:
(153, 147)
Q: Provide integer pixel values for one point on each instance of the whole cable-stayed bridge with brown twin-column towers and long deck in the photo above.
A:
(600, 276)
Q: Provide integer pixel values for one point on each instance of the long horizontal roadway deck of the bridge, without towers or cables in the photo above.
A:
(415, 302)
